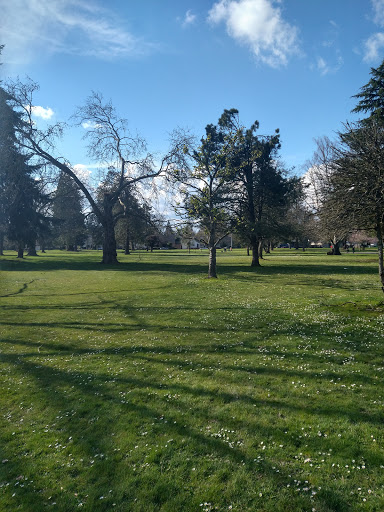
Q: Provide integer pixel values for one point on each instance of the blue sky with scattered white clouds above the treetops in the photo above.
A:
(290, 64)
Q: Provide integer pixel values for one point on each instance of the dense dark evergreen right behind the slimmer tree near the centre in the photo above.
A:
(260, 187)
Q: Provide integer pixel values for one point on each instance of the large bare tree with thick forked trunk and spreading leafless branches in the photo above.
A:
(109, 144)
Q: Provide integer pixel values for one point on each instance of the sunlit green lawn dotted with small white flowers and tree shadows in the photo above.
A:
(146, 387)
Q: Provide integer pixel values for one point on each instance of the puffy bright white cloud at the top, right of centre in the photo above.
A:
(258, 24)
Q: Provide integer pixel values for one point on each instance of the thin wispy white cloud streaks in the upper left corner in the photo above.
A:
(33, 29)
